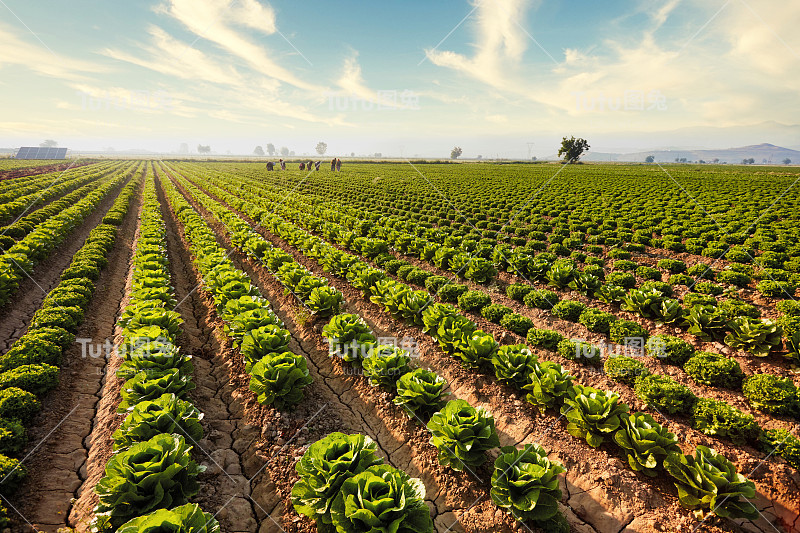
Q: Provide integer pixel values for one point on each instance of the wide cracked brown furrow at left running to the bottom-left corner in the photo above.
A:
(59, 435)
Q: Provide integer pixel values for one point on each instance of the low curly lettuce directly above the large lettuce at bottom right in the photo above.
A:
(714, 417)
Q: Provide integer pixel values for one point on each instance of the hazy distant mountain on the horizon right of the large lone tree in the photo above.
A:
(760, 152)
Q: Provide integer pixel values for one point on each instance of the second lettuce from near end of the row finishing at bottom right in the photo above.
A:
(645, 442)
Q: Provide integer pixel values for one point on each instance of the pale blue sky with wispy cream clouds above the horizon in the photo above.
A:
(500, 78)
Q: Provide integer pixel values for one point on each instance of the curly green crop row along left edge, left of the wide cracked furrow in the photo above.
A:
(30, 368)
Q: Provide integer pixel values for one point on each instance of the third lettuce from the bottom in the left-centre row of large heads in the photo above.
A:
(167, 414)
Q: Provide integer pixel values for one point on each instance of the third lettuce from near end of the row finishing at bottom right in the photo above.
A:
(592, 414)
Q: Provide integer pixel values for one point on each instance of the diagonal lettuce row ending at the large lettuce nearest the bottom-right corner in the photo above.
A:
(592, 414)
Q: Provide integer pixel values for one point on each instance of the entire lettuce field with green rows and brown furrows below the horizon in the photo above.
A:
(199, 346)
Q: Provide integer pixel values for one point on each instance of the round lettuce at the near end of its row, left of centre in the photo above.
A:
(278, 379)
